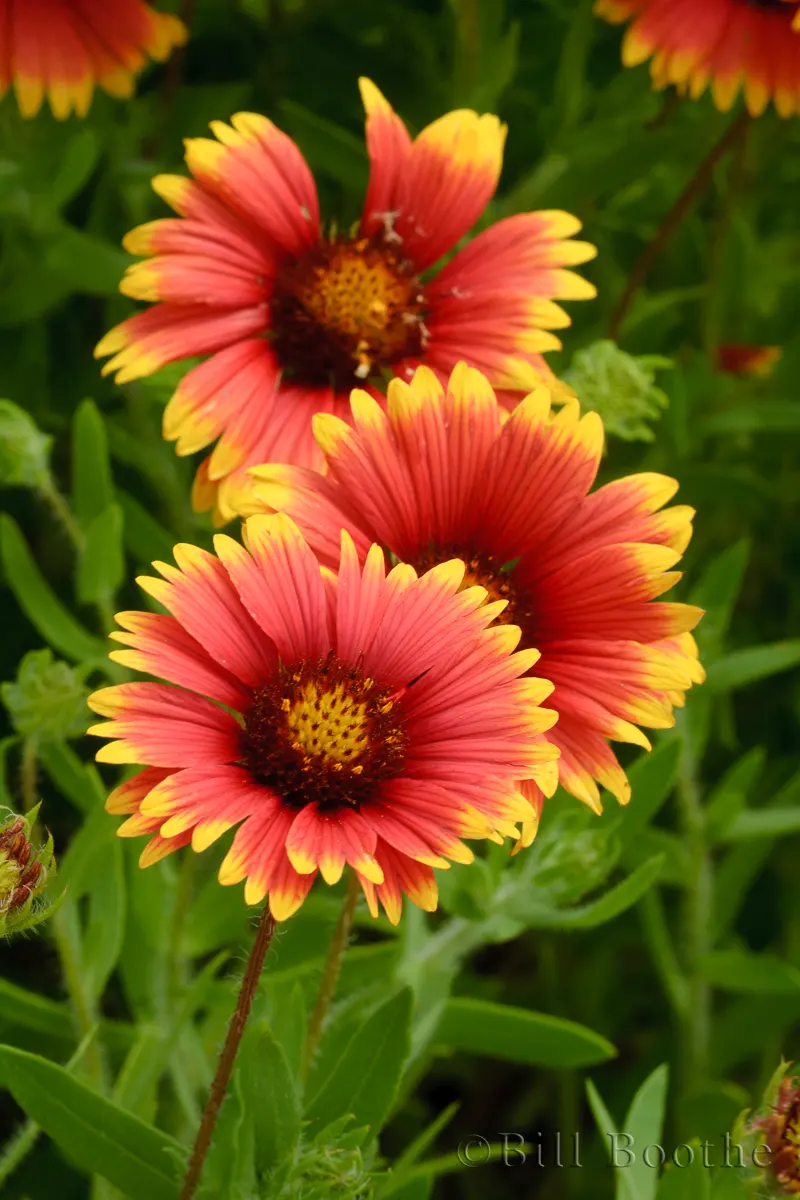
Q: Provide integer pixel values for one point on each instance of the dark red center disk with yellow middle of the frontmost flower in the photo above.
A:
(324, 733)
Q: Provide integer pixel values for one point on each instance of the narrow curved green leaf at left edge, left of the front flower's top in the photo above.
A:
(39, 603)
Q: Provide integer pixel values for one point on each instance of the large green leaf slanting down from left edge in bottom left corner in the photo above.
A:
(100, 1137)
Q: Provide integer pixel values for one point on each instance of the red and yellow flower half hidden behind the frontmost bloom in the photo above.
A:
(450, 473)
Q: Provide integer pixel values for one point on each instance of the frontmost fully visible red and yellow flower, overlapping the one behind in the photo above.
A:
(370, 719)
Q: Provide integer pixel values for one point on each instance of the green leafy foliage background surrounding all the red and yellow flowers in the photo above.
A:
(665, 934)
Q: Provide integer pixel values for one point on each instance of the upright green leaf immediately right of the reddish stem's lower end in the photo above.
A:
(272, 1097)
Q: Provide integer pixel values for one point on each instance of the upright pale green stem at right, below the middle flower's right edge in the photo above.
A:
(696, 1019)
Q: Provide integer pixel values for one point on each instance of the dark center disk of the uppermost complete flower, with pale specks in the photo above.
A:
(346, 310)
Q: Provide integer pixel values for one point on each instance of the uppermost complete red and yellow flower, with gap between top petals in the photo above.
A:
(293, 317)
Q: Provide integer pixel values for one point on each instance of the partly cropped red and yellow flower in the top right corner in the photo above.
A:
(727, 45)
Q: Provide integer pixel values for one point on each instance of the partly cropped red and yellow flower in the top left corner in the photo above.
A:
(61, 50)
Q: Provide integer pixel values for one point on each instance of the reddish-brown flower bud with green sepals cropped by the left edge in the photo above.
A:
(25, 873)
